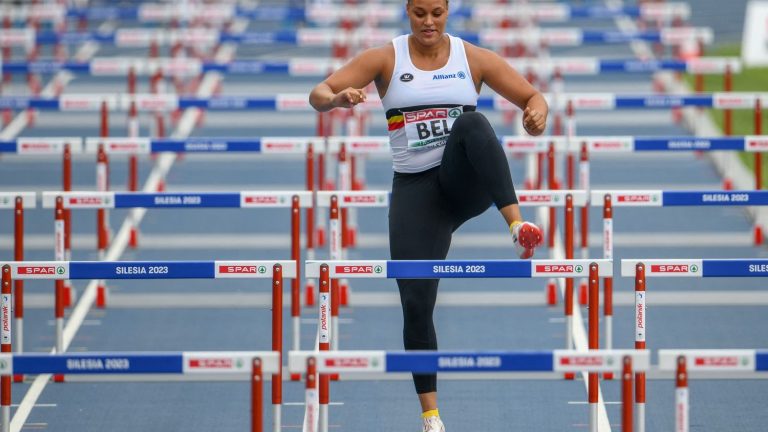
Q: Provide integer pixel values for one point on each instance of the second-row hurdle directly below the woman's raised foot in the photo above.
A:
(327, 271)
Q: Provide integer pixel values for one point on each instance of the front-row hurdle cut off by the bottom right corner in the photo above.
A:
(701, 363)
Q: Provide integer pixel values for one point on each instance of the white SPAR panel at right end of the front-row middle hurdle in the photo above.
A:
(599, 360)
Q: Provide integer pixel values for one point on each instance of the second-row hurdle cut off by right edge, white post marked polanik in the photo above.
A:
(641, 269)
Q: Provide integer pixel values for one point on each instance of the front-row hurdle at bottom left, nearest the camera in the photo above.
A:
(213, 365)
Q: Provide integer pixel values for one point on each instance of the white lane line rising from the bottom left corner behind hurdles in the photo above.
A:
(163, 165)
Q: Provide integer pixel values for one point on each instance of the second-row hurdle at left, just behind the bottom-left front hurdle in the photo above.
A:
(59, 271)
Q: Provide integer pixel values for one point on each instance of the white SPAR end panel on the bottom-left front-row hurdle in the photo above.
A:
(234, 362)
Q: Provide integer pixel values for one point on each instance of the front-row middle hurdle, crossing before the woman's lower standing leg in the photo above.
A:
(374, 363)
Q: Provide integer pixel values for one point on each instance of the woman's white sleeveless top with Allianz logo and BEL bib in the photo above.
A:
(421, 106)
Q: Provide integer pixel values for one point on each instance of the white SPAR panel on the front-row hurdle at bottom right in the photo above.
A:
(715, 360)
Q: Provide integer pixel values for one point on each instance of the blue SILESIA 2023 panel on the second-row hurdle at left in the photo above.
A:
(141, 270)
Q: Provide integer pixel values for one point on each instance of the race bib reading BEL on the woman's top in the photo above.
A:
(429, 128)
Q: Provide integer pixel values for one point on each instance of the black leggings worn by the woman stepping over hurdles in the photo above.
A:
(427, 207)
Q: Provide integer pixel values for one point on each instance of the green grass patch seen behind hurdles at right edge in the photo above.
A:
(750, 79)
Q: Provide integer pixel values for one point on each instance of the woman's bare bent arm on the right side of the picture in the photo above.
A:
(489, 68)
